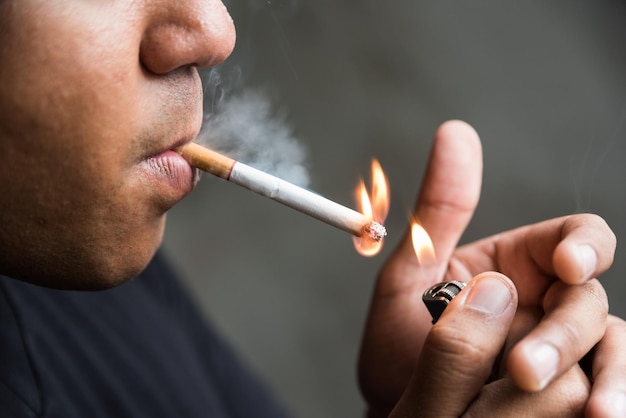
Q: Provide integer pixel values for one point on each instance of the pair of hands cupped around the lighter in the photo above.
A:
(518, 353)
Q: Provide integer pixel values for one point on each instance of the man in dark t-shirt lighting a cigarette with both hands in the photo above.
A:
(94, 98)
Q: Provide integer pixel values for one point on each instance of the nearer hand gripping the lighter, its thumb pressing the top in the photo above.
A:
(450, 375)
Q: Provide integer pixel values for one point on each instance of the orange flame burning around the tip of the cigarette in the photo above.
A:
(374, 205)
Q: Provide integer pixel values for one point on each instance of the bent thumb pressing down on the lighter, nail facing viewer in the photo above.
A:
(460, 350)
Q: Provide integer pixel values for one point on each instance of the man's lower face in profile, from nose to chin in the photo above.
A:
(94, 95)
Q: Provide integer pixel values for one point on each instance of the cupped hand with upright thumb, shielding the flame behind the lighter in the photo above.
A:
(562, 311)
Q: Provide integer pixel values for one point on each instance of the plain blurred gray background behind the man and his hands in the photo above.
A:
(543, 82)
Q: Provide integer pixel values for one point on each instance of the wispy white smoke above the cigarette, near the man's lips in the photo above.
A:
(245, 125)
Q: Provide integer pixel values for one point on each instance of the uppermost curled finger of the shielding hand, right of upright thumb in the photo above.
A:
(574, 249)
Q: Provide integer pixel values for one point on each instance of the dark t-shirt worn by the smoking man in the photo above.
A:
(138, 350)
